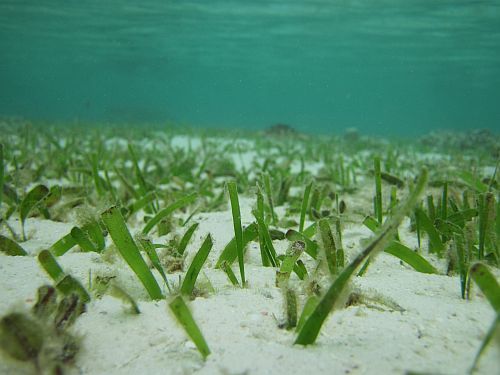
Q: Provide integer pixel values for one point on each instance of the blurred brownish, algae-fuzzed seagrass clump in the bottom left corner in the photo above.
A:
(42, 336)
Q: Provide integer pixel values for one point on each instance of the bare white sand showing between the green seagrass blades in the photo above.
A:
(437, 332)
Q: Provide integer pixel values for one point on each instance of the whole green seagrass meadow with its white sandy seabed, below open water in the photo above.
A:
(156, 249)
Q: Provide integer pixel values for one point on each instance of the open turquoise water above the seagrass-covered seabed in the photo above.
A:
(386, 67)
